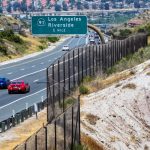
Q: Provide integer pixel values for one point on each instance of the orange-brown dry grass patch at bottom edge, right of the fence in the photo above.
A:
(90, 143)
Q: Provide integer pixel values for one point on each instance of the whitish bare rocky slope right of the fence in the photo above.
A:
(119, 116)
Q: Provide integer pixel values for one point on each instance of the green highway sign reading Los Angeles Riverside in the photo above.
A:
(47, 25)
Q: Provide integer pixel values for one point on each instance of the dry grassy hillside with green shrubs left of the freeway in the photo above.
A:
(16, 44)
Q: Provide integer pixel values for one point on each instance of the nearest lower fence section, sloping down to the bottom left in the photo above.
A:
(61, 134)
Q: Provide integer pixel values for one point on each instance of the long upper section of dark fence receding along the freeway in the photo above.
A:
(68, 71)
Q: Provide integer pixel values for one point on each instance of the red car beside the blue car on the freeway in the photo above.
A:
(18, 86)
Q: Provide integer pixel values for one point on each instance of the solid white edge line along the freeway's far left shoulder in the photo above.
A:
(33, 59)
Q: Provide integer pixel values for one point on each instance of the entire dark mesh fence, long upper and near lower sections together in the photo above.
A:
(63, 111)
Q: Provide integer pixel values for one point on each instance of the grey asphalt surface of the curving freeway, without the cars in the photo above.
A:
(33, 71)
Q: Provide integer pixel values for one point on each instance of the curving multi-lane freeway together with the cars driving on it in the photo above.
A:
(28, 76)
